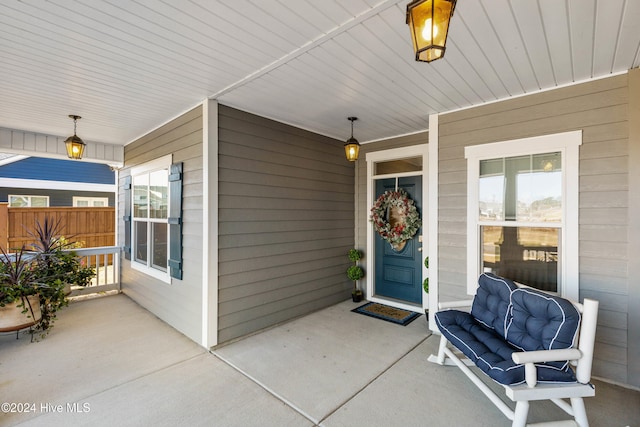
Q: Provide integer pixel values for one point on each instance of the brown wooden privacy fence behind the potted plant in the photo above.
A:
(91, 227)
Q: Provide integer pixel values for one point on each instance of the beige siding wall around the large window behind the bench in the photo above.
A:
(599, 109)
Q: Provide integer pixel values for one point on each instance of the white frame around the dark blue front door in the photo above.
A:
(421, 150)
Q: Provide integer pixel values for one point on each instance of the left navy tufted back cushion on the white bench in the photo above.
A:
(491, 303)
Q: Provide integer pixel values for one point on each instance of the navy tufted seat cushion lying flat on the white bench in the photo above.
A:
(490, 352)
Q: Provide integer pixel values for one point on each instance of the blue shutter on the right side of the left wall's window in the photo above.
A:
(175, 221)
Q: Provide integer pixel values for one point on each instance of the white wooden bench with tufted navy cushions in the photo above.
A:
(524, 377)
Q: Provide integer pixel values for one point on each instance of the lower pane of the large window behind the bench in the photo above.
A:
(526, 255)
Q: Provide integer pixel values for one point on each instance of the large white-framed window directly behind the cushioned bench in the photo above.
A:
(522, 211)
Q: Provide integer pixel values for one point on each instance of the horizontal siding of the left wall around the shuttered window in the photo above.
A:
(179, 303)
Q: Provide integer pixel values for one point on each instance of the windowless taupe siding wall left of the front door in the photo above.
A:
(285, 222)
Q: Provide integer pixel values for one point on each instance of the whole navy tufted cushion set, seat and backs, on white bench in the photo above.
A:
(504, 319)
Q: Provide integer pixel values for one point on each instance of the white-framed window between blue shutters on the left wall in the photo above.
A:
(150, 214)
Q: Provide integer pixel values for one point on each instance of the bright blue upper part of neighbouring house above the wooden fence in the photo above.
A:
(58, 170)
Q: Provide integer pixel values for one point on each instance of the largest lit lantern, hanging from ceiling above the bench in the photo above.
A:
(428, 21)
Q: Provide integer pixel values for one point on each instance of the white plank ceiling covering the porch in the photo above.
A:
(127, 67)
